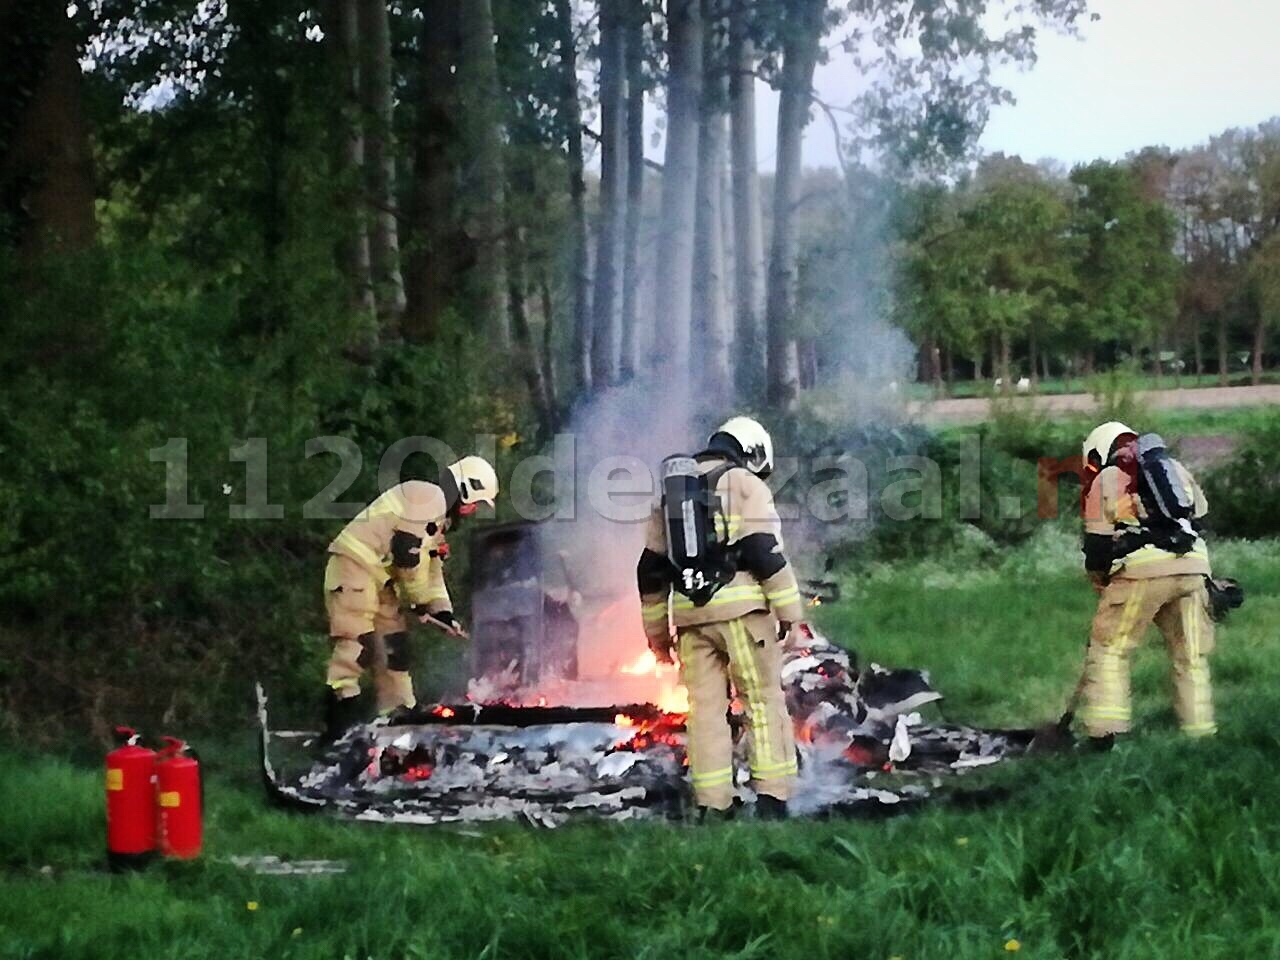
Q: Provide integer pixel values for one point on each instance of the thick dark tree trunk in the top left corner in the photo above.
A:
(47, 166)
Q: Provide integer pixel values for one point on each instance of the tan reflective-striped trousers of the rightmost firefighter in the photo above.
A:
(1180, 607)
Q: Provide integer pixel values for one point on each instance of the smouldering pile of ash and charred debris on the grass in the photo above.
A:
(865, 749)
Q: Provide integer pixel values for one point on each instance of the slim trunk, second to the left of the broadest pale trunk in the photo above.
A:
(607, 335)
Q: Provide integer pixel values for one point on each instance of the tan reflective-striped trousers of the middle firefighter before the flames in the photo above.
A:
(746, 652)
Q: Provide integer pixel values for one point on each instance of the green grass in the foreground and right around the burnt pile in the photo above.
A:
(1162, 849)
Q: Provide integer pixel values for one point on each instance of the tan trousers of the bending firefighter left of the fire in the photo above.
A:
(368, 630)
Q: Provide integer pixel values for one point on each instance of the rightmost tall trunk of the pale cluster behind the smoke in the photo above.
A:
(803, 33)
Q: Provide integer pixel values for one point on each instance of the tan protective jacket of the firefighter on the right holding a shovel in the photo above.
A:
(1113, 506)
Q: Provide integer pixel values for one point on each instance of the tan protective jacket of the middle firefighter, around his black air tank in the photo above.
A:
(748, 510)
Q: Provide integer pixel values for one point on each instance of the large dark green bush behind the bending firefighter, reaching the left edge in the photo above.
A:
(116, 616)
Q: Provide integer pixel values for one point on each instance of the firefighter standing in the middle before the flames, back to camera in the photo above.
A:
(730, 633)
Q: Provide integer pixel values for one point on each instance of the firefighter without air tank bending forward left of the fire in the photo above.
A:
(392, 554)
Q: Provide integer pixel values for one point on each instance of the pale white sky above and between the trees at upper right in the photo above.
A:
(1148, 72)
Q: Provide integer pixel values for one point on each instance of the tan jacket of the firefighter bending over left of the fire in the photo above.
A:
(397, 540)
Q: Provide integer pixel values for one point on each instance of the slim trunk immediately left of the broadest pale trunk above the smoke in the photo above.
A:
(637, 30)
